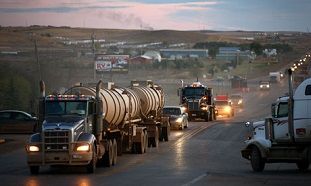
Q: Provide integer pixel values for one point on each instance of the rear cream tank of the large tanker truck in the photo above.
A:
(151, 98)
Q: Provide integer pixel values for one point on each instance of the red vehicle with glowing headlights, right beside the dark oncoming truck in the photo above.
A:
(224, 106)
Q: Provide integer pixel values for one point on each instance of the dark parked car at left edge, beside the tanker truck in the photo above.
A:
(15, 121)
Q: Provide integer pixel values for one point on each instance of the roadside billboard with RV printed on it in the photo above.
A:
(111, 63)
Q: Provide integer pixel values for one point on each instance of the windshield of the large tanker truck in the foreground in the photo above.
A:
(65, 107)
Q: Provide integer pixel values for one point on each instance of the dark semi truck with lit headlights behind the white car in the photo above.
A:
(198, 102)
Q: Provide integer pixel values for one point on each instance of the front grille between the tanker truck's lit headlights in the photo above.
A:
(56, 140)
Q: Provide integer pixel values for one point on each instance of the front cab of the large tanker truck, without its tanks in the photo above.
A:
(66, 136)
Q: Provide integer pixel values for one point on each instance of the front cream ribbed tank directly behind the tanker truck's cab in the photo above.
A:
(116, 103)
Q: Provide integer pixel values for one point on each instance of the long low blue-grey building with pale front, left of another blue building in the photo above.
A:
(184, 53)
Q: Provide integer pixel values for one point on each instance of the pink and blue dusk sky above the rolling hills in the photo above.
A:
(223, 15)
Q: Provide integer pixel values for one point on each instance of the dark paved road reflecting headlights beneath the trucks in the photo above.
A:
(203, 154)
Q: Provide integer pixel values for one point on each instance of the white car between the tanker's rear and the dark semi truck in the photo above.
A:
(178, 117)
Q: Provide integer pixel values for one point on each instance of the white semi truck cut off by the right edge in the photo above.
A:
(286, 136)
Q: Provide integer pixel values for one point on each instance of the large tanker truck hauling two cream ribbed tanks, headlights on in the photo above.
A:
(90, 126)
